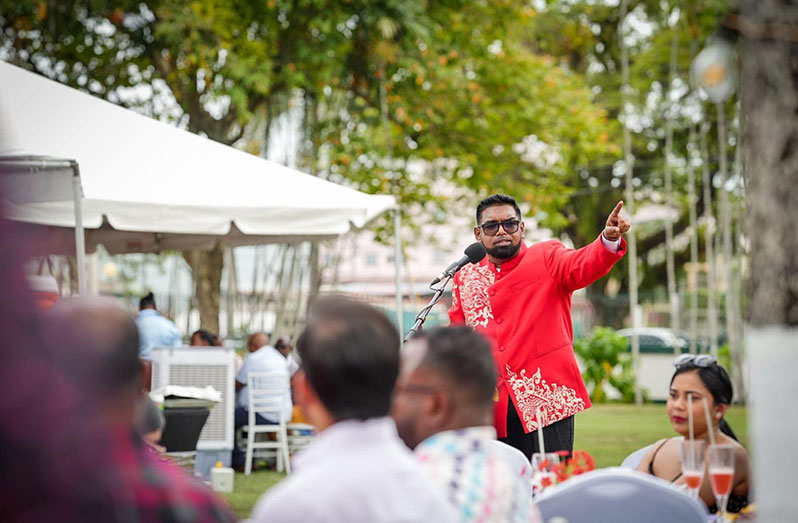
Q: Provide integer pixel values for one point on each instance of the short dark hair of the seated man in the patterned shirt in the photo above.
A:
(464, 358)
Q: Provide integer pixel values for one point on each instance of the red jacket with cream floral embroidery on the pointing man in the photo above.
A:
(525, 310)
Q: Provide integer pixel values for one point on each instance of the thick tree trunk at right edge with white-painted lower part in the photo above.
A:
(770, 156)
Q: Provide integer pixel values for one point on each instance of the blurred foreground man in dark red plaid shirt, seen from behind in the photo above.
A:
(125, 480)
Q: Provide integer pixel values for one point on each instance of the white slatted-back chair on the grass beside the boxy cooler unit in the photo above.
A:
(269, 394)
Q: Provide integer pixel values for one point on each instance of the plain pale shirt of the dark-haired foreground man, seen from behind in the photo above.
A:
(355, 471)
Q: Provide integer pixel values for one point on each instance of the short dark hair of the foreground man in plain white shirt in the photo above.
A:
(350, 356)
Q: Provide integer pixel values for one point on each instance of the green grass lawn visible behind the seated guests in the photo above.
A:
(608, 432)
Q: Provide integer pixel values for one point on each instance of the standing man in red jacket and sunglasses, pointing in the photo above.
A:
(520, 298)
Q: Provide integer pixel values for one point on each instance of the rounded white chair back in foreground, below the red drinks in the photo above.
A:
(616, 494)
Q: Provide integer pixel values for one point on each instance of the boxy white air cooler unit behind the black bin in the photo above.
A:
(200, 367)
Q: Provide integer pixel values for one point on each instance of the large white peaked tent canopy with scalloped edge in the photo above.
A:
(149, 186)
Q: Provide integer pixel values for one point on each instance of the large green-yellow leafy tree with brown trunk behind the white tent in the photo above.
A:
(386, 86)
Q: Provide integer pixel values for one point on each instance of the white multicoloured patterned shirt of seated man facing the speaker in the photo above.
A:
(474, 477)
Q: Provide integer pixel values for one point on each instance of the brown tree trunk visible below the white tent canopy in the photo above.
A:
(206, 267)
